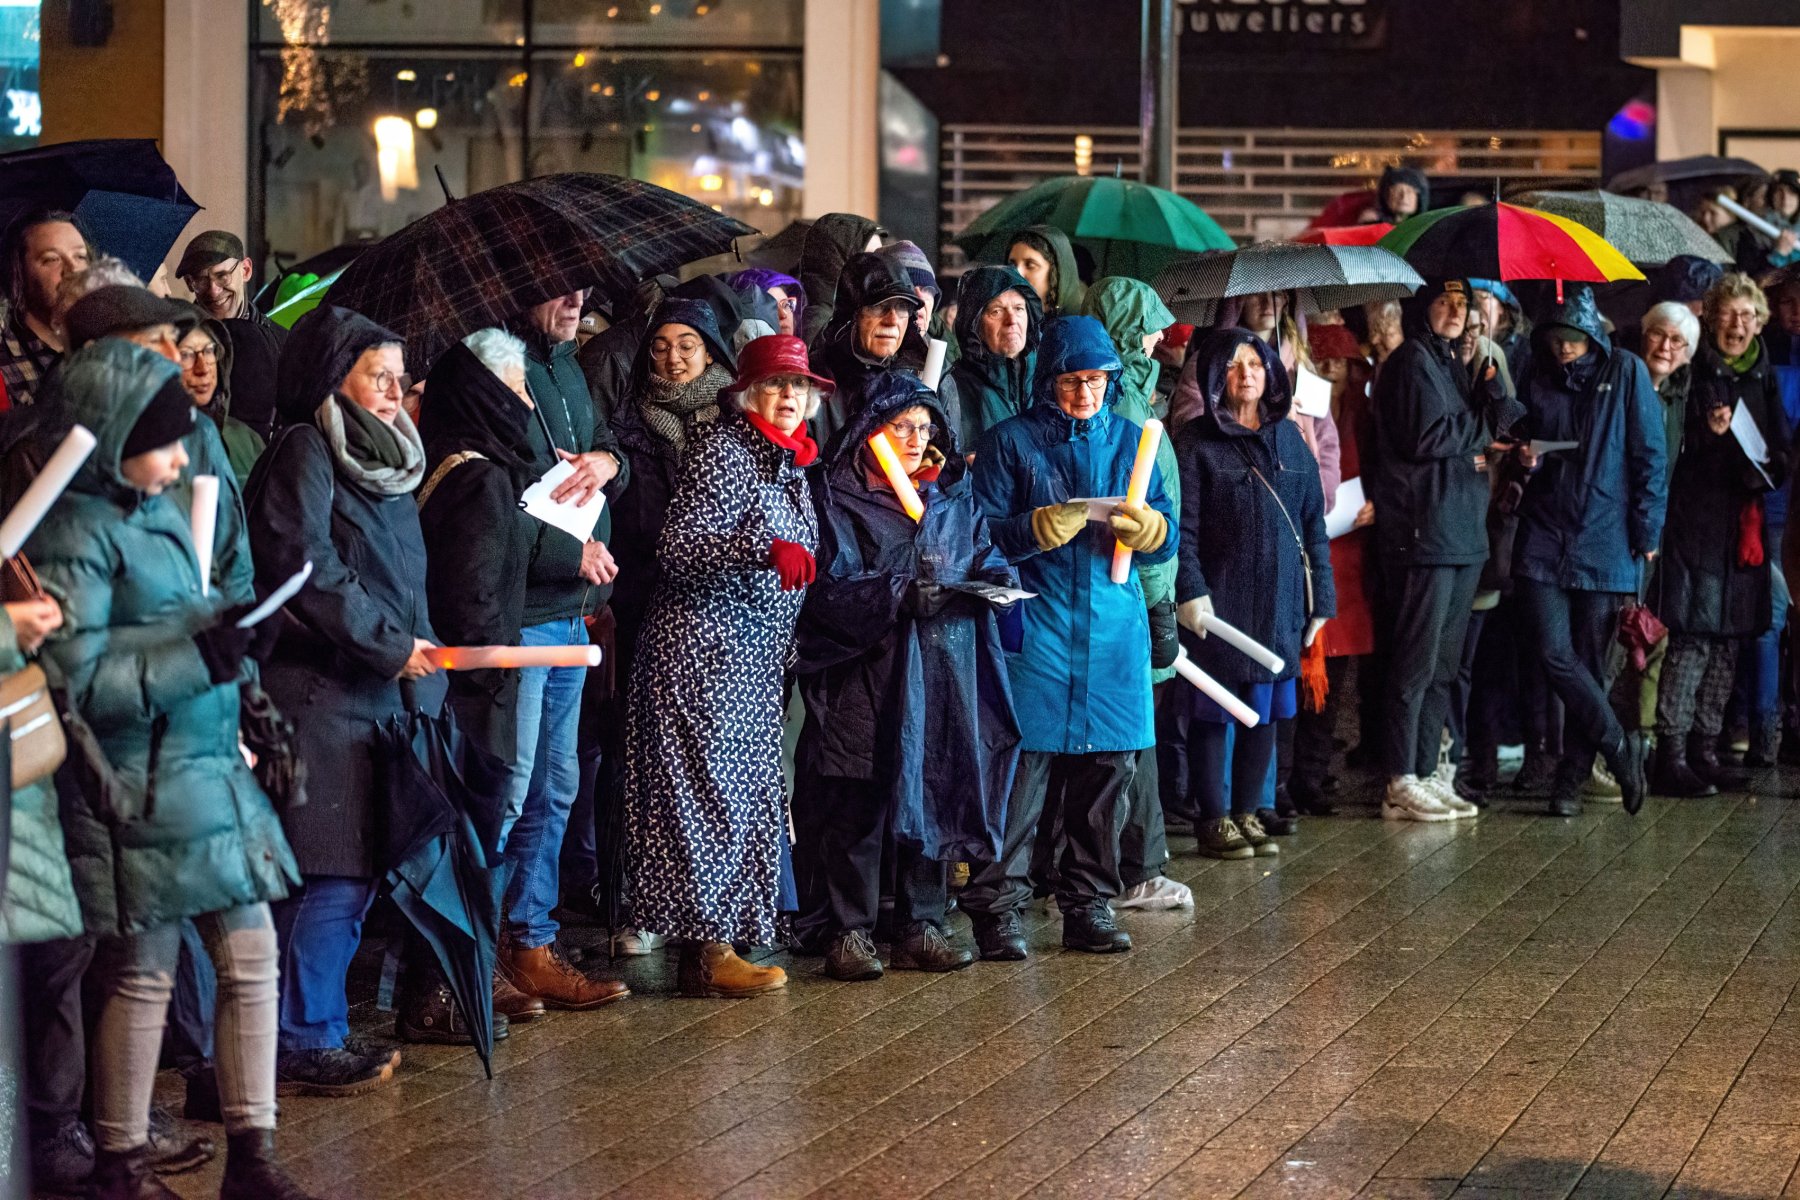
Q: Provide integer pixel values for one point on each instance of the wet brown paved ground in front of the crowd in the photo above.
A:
(1513, 1007)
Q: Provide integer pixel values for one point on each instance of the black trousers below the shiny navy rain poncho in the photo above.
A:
(856, 827)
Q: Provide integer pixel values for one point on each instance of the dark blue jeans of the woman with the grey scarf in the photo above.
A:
(319, 929)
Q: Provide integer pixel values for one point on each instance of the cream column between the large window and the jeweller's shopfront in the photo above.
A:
(843, 62)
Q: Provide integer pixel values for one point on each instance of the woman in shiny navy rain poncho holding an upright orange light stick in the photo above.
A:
(910, 724)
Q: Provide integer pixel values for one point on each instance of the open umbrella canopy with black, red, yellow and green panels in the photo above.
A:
(1506, 242)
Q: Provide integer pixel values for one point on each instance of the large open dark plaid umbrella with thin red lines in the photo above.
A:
(483, 260)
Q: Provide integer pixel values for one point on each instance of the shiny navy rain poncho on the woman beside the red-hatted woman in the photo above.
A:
(919, 704)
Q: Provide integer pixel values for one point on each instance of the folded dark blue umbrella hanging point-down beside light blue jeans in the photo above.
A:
(447, 875)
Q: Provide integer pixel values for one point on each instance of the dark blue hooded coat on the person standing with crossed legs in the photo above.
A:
(1594, 512)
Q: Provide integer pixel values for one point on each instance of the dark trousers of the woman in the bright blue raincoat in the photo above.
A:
(1092, 791)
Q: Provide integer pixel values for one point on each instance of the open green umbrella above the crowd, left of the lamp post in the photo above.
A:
(1131, 229)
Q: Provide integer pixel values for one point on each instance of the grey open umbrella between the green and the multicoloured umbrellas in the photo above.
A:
(1324, 278)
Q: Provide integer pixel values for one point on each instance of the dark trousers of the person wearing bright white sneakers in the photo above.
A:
(1430, 618)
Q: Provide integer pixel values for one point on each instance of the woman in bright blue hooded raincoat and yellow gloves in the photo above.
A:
(1081, 649)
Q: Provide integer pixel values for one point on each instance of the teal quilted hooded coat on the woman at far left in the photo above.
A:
(193, 832)
